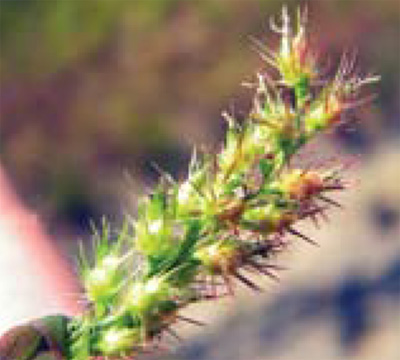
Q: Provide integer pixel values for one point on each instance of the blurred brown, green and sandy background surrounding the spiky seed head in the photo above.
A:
(93, 91)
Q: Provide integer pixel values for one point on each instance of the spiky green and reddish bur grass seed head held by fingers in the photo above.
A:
(195, 239)
